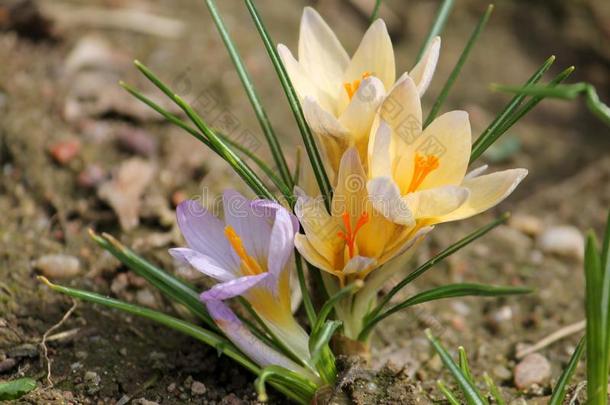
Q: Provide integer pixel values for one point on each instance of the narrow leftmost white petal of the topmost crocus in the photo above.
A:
(302, 82)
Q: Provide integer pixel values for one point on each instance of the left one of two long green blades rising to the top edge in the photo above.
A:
(272, 141)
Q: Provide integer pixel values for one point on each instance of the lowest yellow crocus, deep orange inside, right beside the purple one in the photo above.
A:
(353, 239)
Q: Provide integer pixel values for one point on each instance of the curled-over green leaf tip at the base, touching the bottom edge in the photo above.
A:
(302, 389)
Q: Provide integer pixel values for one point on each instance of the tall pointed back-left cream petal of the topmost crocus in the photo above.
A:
(320, 52)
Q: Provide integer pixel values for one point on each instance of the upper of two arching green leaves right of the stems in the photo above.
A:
(427, 266)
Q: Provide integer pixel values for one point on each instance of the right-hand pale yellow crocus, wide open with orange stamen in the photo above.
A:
(418, 176)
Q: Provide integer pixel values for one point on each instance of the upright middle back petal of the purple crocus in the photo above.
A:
(253, 228)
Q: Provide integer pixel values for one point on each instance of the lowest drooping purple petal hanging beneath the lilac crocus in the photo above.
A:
(255, 349)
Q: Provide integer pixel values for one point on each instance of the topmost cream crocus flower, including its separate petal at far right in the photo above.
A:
(340, 95)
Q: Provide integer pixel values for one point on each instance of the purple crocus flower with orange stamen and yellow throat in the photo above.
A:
(249, 255)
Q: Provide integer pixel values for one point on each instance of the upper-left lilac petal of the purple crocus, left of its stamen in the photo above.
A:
(204, 233)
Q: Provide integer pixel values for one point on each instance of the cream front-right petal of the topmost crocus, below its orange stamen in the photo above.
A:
(361, 110)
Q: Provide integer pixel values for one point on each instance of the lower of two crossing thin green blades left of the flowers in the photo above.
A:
(285, 190)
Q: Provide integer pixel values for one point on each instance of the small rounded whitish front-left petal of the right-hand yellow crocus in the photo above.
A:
(387, 201)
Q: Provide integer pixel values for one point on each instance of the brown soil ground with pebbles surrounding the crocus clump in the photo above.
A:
(54, 153)
